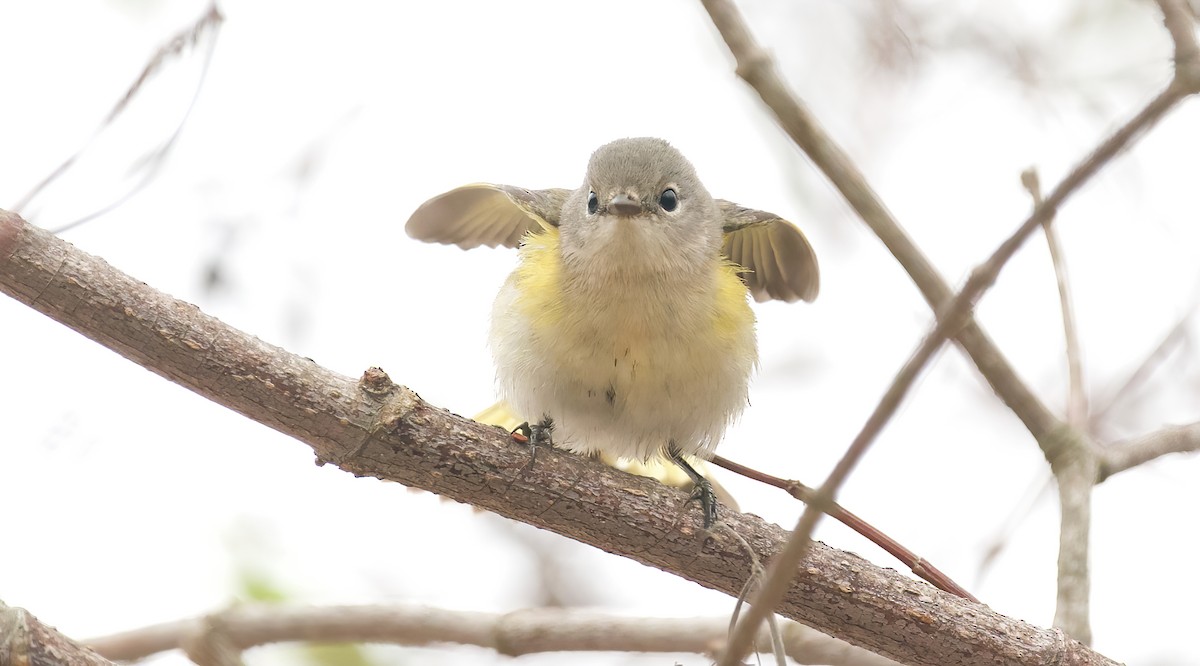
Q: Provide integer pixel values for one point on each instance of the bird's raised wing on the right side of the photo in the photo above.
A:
(781, 263)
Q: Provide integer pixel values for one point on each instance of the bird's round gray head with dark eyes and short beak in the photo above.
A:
(641, 209)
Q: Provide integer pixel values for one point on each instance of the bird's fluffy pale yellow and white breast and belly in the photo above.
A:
(620, 383)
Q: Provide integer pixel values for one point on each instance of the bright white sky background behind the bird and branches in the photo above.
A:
(321, 128)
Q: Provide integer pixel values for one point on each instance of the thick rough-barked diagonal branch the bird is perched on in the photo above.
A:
(377, 429)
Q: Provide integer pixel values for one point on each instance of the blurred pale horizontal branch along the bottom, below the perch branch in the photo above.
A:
(514, 634)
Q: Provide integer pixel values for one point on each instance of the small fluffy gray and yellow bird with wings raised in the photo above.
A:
(626, 327)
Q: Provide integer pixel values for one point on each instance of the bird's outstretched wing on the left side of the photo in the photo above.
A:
(485, 214)
